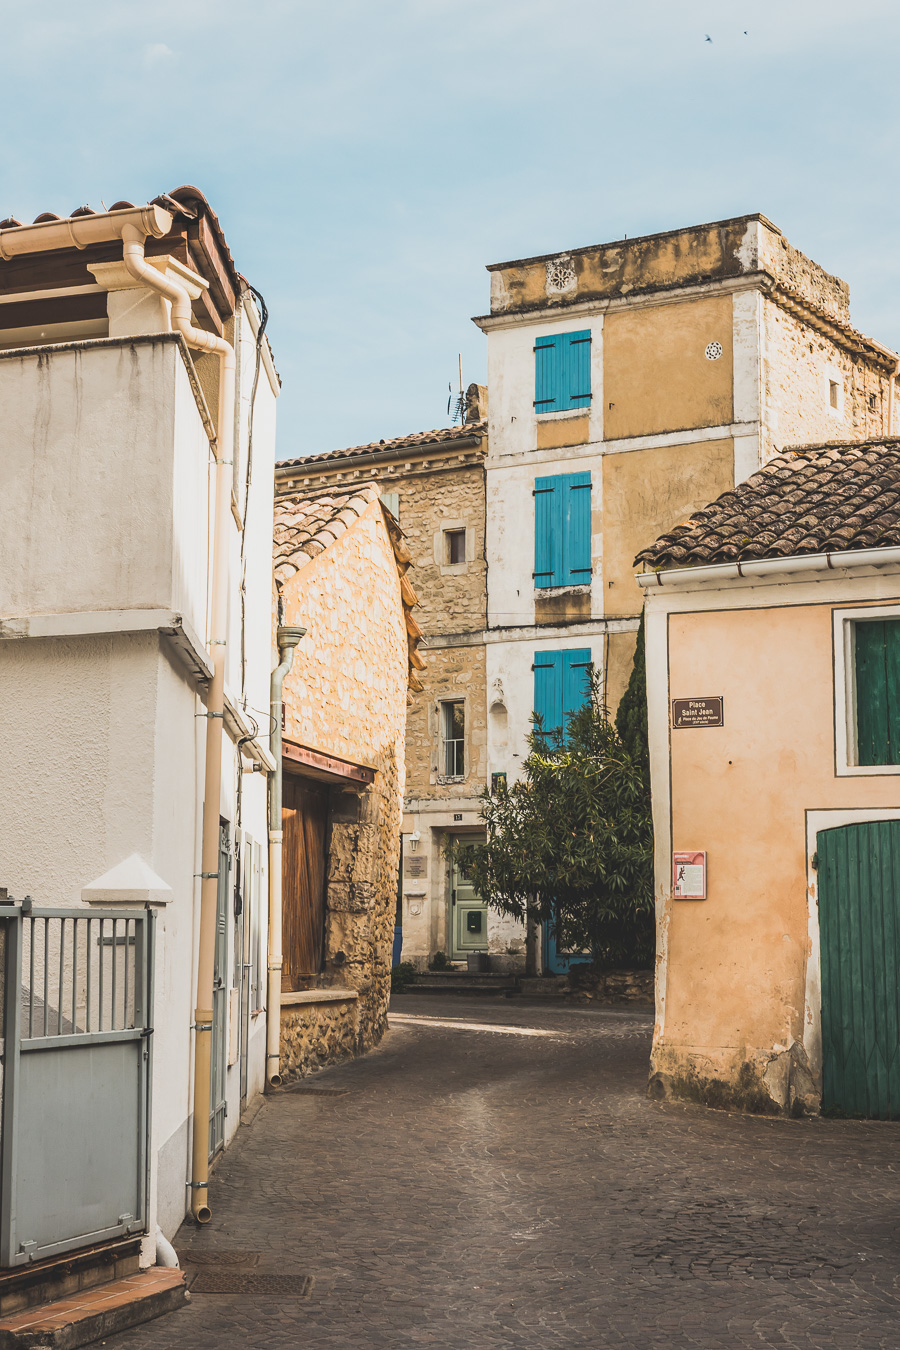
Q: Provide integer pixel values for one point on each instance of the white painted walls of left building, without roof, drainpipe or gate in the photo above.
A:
(105, 506)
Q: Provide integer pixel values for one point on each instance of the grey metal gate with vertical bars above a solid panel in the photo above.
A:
(76, 1078)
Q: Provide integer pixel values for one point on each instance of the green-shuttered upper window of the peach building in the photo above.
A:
(878, 692)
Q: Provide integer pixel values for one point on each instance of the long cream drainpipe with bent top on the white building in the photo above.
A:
(133, 240)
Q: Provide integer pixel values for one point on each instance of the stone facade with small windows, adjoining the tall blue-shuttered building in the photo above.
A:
(434, 483)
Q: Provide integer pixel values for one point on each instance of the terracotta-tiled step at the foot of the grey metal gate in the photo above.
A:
(91, 1314)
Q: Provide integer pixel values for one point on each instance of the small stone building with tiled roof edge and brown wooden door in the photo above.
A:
(341, 572)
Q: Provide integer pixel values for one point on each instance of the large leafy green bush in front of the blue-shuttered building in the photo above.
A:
(573, 840)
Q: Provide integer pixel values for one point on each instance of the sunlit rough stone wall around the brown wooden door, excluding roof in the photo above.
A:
(347, 696)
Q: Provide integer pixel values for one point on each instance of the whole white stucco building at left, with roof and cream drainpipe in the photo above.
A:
(136, 578)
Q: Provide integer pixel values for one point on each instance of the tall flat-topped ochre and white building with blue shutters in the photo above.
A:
(631, 384)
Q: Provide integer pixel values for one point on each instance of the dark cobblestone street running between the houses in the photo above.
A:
(490, 1189)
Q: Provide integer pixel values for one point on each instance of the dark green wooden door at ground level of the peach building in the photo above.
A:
(860, 944)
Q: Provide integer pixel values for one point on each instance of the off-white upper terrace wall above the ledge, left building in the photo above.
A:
(103, 484)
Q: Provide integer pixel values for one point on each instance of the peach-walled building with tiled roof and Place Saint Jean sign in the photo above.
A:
(774, 689)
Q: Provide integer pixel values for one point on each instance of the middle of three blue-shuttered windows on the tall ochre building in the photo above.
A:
(563, 530)
